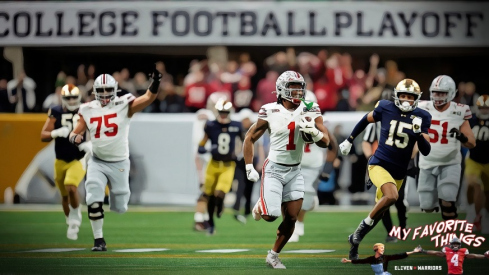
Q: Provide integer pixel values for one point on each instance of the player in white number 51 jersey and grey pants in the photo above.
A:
(439, 176)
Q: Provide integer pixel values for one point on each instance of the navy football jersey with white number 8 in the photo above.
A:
(223, 139)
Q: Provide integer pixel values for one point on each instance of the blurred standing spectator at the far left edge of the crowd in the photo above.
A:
(21, 93)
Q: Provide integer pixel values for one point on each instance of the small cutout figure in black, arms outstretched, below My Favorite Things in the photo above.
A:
(379, 262)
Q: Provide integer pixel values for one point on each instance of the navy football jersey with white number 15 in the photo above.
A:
(397, 138)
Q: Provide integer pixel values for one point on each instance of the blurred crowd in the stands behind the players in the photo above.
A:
(337, 85)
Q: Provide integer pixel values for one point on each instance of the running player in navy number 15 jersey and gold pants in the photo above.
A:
(402, 126)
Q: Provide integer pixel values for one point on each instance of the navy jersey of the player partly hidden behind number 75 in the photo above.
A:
(63, 148)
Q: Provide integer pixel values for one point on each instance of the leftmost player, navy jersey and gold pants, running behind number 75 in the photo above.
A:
(70, 163)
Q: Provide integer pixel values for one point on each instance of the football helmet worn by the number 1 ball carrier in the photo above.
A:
(283, 83)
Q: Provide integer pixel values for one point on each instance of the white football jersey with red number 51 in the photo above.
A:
(445, 150)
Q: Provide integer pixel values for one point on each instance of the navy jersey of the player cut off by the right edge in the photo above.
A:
(480, 127)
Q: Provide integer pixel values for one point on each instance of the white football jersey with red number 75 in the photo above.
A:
(108, 127)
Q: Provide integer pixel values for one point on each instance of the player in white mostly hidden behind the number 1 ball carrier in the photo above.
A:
(313, 161)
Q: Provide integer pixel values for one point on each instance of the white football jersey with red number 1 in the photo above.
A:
(286, 144)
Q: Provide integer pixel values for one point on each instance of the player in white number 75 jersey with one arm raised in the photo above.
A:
(107, 120)
